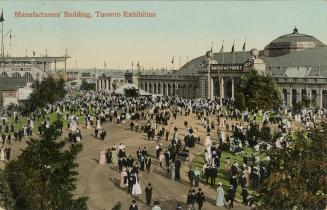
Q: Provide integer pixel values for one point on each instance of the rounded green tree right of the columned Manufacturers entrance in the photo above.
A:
(260, 91)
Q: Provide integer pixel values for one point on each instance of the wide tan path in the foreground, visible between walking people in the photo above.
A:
(101, 182)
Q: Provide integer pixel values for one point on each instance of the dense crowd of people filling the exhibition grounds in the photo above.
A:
(227, 130)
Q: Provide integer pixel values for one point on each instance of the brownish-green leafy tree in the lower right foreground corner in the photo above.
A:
(298, 174)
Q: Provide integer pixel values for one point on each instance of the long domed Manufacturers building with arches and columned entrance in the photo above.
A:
(297, 62)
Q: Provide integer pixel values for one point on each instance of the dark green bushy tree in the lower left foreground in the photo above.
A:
(44, 175)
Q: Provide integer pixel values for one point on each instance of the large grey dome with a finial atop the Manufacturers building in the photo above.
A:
(293, 42)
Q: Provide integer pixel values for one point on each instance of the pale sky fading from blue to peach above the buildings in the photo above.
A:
(181, 29)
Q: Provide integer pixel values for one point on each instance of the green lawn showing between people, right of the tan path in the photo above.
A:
(223, 177)
